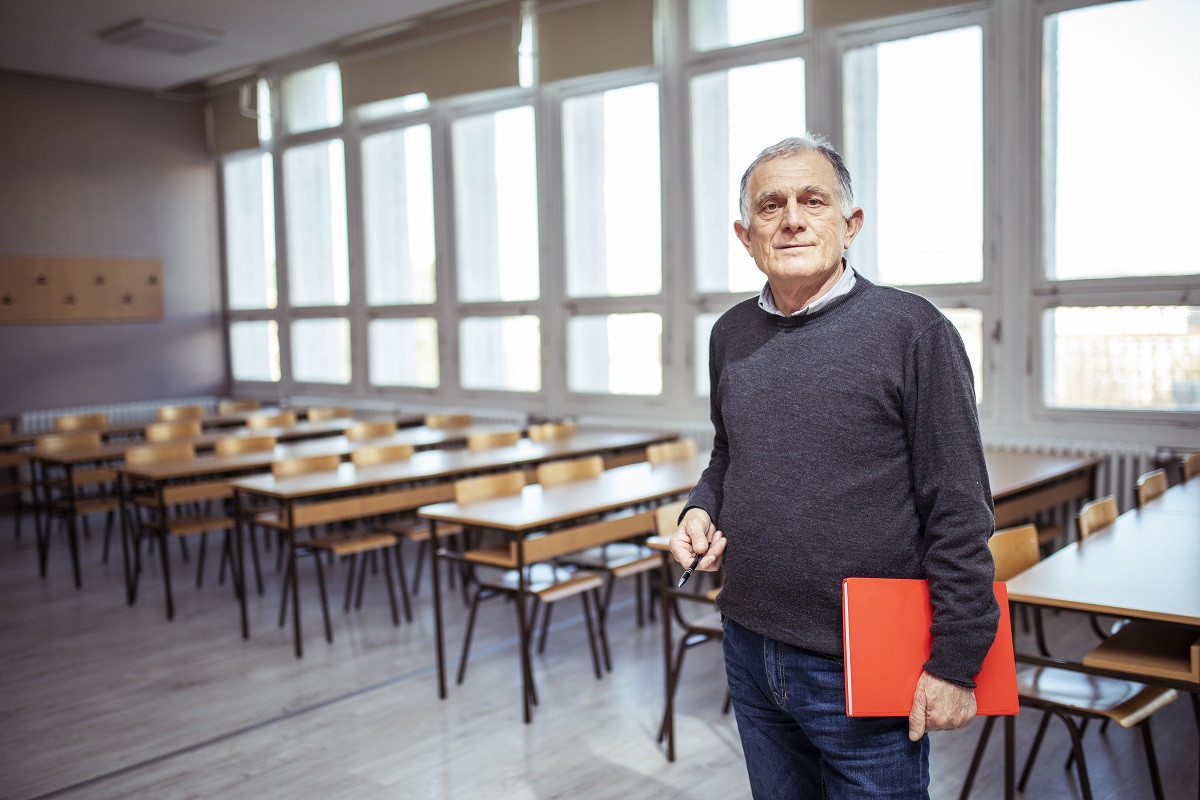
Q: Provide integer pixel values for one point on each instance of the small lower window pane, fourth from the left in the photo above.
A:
(502, 353)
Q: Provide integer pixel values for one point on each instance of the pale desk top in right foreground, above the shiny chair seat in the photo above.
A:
(1144, 566)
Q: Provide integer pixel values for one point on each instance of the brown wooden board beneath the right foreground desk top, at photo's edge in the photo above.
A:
(1149, 648)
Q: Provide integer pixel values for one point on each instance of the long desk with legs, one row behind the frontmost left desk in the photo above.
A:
(437, 466)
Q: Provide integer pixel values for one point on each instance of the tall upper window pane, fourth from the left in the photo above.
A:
(496, 206)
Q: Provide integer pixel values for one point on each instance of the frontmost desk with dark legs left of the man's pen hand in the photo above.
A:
(536, 509)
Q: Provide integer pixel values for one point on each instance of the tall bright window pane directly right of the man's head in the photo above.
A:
(915, 151)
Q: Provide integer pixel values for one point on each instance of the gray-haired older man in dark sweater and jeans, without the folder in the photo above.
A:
(847, 444)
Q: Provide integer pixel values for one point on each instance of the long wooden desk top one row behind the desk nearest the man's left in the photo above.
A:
(433, 465)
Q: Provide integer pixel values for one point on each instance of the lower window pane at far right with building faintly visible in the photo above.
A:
(1124, 358)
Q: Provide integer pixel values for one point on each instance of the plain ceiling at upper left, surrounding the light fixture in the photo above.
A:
(61, 39)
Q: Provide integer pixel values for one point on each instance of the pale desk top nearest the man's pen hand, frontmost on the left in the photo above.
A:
(537, 508)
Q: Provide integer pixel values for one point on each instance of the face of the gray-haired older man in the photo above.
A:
(797, 233)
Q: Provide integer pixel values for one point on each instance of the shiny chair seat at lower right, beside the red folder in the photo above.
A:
(1125, 702)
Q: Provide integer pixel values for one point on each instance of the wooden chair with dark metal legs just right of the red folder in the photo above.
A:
(1066, 694)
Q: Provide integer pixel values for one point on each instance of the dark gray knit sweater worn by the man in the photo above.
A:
(848, 444)
